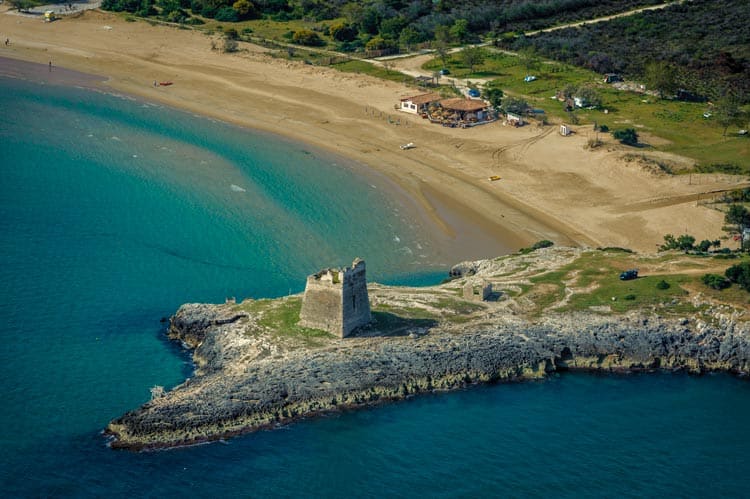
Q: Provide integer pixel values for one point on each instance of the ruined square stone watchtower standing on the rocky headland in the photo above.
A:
(336, 300)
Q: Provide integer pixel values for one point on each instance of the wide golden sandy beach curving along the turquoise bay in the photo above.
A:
(551, 187)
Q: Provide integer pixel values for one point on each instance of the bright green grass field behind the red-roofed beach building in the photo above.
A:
(680, 125)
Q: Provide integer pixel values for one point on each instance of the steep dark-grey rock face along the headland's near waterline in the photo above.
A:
(273, 391)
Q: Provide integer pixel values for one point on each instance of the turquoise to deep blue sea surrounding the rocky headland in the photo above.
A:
(114, 211)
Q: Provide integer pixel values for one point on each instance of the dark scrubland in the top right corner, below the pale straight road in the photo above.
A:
(702, 46)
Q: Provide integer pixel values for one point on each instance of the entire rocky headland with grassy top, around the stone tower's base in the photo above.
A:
(551, 310)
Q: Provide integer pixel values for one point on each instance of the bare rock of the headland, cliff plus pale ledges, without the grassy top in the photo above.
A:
(249, 377)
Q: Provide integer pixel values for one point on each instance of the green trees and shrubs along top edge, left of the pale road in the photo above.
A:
(386, 24)
